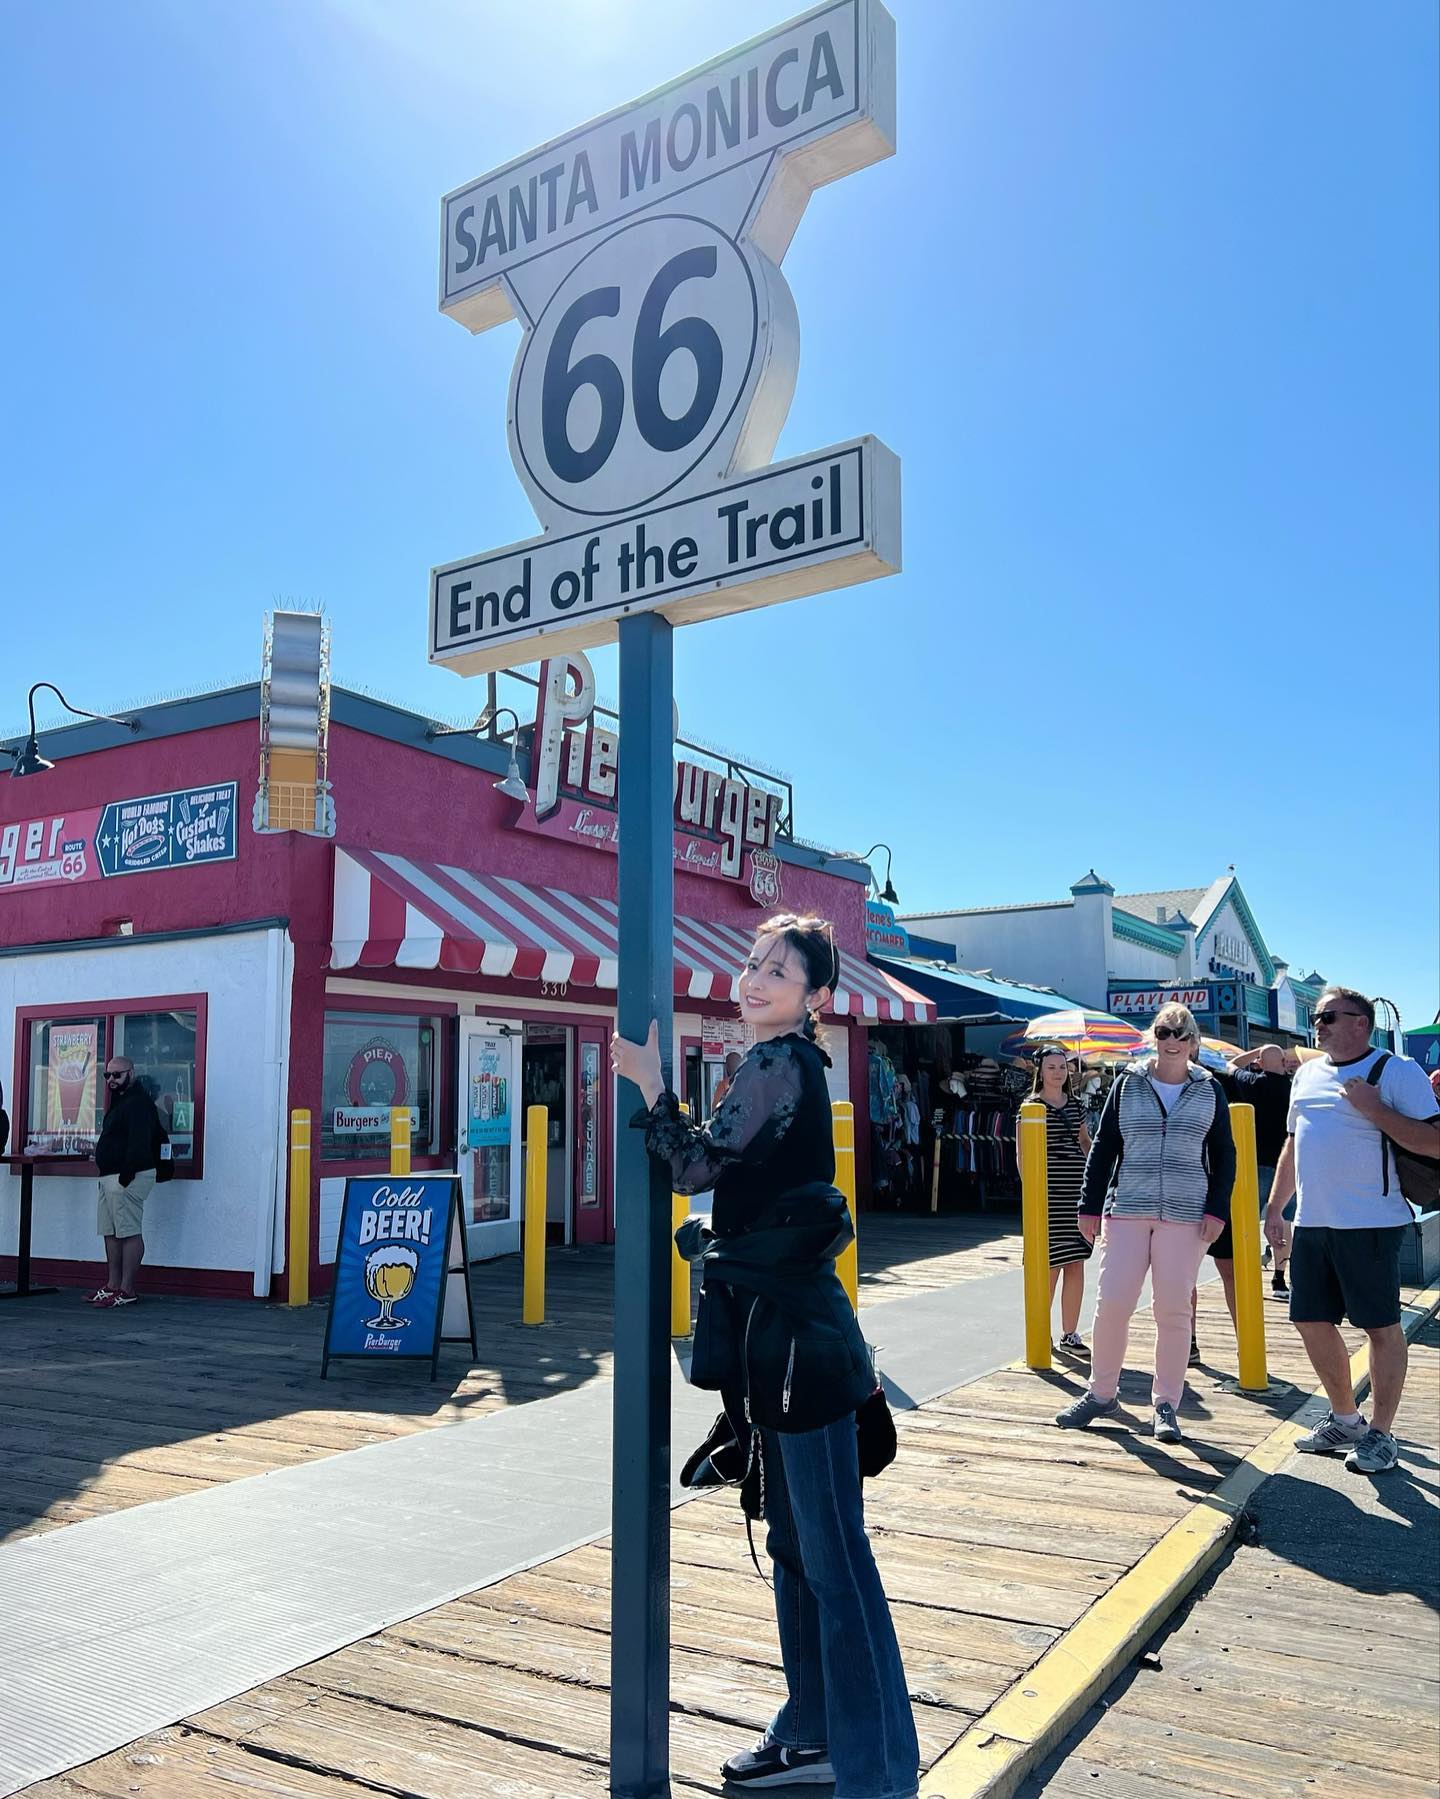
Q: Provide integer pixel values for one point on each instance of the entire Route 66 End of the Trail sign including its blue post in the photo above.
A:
(642, 256)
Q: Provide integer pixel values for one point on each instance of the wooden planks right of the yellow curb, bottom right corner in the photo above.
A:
(1311, 1661)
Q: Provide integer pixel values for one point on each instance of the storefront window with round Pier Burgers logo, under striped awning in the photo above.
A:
(372, 1064)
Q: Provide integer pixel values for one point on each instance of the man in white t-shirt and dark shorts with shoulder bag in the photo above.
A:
(1351, 1221)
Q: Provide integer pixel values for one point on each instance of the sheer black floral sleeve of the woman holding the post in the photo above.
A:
(746, 1127)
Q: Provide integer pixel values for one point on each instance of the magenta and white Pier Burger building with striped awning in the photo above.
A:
(442, 953)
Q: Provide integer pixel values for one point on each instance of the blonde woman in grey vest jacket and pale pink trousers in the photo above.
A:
(1160, 1172)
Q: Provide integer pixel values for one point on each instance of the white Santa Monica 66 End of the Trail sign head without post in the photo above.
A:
(642, 255)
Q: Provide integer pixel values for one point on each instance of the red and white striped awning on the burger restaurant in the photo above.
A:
(397, 913)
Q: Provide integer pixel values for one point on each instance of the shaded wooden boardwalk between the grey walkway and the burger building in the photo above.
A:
(111, 1410)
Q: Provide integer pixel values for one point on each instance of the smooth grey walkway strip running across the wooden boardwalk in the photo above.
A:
(127, 1624)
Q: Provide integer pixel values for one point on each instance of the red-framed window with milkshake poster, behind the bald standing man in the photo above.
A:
(64, 1105)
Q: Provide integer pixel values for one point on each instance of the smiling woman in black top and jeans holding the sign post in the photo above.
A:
(777, 1336)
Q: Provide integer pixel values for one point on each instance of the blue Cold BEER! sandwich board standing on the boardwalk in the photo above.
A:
(400, 1240)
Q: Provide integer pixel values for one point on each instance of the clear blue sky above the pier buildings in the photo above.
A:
(1146, 303)
